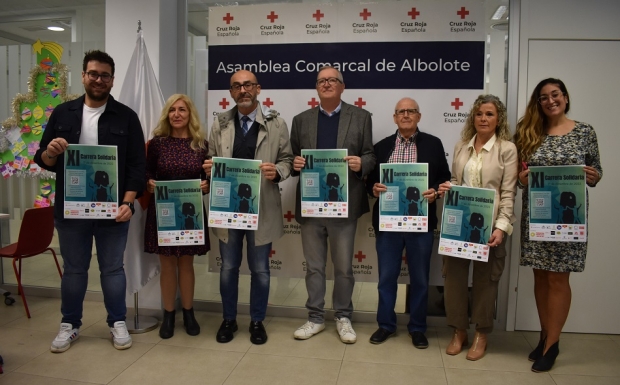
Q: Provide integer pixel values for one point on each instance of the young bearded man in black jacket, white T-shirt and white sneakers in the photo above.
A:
(94, 119)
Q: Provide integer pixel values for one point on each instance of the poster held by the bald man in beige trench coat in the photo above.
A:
(235, 193)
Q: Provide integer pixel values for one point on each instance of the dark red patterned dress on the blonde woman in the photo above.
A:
(171, 158)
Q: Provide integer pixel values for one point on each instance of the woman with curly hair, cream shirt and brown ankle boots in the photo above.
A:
(484, 158)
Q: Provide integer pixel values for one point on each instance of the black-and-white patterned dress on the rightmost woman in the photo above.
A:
(576, 147)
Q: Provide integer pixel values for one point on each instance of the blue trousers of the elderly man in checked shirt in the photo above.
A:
(390, 246)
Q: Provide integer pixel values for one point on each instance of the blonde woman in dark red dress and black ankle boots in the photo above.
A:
(176, 152)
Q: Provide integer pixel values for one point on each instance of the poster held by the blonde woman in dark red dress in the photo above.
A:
(180, 218)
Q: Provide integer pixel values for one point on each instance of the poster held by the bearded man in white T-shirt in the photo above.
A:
(91, 182)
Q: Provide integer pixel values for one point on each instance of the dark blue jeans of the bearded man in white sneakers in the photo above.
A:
(76, 242)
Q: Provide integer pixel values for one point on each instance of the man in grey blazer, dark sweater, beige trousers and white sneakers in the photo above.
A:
(334, 124)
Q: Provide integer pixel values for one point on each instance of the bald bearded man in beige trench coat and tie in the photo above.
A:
(246, 132)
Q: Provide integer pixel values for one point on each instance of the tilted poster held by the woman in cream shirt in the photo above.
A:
(467, 222)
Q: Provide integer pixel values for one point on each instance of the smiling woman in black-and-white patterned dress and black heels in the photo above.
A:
(545, 136)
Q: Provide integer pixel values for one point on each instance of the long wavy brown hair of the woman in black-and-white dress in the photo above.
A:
(531, 127)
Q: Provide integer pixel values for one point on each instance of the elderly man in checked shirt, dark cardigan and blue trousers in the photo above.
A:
(407, 145)
